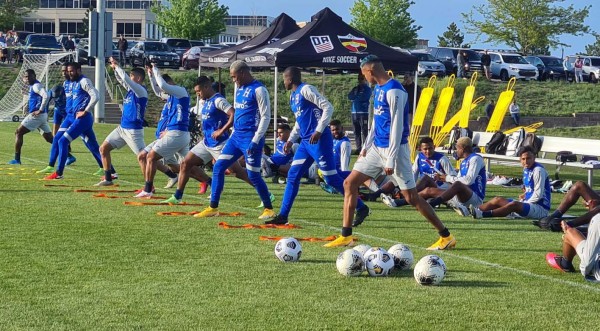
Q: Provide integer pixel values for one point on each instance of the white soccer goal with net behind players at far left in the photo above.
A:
(13, 105)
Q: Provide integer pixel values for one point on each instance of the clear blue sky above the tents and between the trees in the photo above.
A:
(433, 16)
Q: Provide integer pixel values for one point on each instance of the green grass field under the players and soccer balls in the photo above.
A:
(71, 261)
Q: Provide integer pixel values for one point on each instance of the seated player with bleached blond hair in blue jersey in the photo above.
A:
(468, 188)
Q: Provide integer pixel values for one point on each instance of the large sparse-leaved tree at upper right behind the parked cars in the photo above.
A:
(526, 25)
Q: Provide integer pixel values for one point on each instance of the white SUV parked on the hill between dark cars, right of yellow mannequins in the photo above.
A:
(507, 65)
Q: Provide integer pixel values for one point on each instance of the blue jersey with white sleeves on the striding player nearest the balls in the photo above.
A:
(383, 95)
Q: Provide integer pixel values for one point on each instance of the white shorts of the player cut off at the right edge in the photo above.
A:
(588, 250)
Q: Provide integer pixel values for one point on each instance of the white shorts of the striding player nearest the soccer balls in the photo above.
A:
(373, 165)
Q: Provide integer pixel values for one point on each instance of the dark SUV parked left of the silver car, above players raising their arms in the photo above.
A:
(146, 52)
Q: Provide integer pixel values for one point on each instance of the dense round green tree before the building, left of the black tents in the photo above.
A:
(191, 19)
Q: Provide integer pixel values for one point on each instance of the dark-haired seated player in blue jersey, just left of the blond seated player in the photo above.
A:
(427, 164)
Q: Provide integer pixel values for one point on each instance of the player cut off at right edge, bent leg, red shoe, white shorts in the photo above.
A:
(575, 243)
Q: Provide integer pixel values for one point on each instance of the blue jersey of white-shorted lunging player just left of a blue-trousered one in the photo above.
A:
(214, 117)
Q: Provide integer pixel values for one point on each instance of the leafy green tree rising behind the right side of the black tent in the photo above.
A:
(388, 21)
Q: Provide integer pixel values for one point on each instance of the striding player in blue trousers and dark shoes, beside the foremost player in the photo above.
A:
(313, 113)
